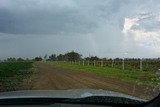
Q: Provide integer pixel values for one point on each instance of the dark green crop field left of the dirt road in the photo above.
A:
(12, 74)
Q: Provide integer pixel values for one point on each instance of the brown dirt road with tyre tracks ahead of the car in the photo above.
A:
(47, 77)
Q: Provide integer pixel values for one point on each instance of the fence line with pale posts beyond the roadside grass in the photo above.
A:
(121, 64)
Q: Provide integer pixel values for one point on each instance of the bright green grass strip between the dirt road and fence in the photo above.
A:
(134, 76)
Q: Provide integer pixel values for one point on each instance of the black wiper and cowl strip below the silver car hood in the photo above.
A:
(87, 100)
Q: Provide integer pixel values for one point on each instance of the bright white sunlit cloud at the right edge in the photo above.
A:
(141, 29)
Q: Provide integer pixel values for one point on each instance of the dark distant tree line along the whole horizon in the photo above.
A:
(75, 56)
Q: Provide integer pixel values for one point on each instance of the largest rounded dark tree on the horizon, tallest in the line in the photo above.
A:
(72, 56)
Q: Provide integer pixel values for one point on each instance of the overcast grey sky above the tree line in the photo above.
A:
(106, 28)
